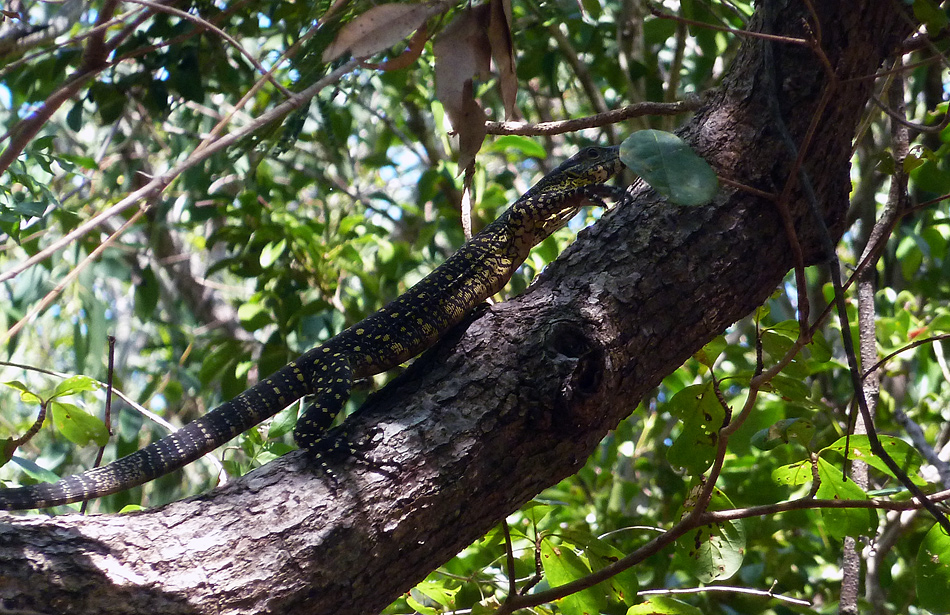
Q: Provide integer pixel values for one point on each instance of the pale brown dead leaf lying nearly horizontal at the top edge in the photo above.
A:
(380, 28)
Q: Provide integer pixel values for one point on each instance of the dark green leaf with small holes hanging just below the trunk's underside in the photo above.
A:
(702, 416)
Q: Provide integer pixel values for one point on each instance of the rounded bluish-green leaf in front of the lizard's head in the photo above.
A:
(668, 164)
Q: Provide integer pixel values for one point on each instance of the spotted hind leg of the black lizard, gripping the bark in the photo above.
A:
(331, 386)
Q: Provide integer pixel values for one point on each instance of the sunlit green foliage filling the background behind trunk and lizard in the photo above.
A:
(304, 227)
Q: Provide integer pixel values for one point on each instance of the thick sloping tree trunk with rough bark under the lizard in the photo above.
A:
(514, 402)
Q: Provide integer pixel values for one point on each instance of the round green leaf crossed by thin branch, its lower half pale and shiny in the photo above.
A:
(715, 551)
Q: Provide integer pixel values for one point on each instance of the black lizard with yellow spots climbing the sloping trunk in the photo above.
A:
(399, 331)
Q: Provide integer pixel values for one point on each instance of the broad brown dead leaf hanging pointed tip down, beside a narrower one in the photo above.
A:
(463, 52)
